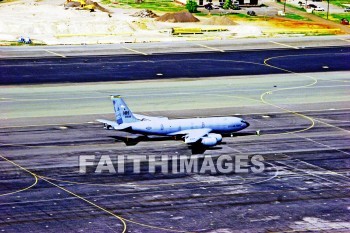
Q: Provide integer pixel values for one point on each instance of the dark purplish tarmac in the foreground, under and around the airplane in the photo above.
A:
(305, 184)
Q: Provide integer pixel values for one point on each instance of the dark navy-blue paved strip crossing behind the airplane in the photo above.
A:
(189, 65)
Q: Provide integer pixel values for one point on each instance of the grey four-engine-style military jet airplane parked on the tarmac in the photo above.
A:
(203, 132)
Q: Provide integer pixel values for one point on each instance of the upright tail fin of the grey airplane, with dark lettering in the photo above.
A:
(122, 112)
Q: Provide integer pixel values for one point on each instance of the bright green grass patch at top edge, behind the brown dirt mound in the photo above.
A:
(154, 5)
